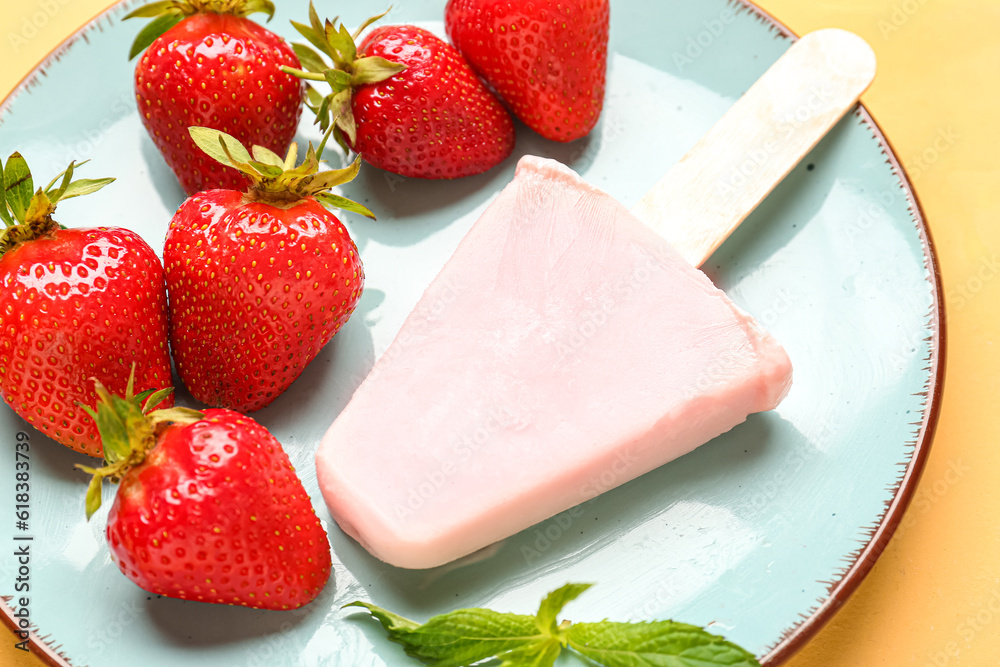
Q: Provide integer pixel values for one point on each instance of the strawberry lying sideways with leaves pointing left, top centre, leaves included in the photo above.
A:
(406, 101)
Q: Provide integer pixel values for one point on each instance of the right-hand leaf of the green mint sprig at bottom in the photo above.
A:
(656, 644)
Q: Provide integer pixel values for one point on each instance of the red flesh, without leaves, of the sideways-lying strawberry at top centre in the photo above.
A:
(435, 119)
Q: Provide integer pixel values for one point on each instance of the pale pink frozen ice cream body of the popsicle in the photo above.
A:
(564, 339)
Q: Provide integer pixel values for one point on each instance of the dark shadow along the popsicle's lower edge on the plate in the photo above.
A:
(583, 532)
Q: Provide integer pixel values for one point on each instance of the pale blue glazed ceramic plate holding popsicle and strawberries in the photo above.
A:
(760, 534)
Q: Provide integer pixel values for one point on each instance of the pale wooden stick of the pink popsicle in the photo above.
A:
(732, 168)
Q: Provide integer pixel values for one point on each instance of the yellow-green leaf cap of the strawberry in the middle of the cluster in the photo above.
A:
(277, 180)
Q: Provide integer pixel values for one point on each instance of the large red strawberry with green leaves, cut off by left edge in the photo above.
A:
(74, 304)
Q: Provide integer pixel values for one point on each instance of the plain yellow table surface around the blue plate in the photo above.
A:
(933, 598)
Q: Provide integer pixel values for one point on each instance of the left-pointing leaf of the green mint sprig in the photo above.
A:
(462, 637)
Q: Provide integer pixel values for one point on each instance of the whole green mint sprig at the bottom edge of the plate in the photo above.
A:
(465, 637)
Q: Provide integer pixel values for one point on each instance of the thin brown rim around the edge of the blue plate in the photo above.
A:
(868, 552)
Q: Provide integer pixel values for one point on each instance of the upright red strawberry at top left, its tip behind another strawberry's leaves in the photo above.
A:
(218, 69)
